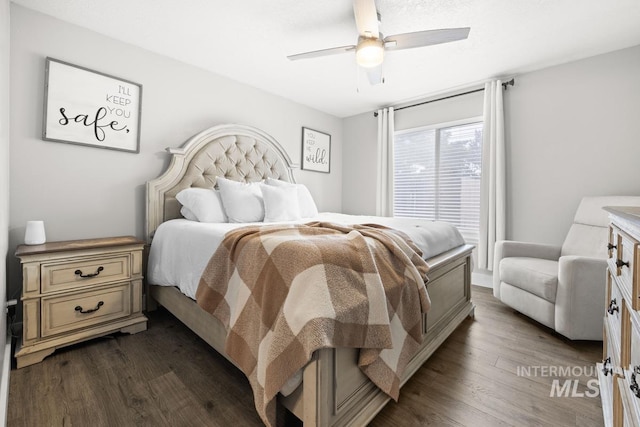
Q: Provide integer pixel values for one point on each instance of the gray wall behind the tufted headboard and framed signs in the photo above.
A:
(83, 192)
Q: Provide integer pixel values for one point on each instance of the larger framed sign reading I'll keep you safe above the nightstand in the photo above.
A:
(86, 107)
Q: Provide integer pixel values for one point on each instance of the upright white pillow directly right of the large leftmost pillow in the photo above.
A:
(242, 201)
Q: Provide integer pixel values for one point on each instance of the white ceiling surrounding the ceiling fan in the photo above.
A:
(248, 41)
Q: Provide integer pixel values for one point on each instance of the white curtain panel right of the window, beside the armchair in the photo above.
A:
(492, 196)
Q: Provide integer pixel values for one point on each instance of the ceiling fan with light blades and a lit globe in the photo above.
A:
(372, 44)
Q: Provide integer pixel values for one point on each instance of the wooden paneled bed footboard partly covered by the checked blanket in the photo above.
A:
(334, 391)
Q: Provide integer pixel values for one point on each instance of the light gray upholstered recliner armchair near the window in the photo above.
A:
(562, 287)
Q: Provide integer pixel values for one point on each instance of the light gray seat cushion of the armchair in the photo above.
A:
(534, 275)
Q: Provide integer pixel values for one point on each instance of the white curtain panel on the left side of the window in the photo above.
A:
(384, 185)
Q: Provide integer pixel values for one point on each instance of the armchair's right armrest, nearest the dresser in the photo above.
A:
(580, 297)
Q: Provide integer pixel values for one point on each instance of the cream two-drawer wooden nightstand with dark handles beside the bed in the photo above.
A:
(76, 290)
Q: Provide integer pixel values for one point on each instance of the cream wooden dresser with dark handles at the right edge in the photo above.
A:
(619, 374)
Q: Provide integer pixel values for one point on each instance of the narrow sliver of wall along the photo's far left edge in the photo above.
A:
(4, 179)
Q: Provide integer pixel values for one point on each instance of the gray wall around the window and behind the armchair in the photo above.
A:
(564, 124)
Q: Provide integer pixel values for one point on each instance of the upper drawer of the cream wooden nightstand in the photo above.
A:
(84, 272)
